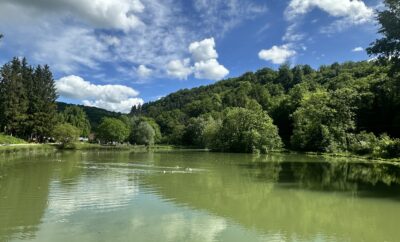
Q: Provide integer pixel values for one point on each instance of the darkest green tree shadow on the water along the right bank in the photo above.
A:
(367, 179)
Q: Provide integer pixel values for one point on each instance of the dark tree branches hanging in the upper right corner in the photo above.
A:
(388, 46)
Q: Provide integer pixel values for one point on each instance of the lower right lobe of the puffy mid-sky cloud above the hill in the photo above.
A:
(210, 69)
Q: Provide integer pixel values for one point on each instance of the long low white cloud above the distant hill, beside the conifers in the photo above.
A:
(111, 97)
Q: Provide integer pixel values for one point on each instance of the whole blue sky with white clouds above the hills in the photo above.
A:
(117, 53)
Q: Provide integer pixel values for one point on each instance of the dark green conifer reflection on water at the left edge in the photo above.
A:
(23, 197)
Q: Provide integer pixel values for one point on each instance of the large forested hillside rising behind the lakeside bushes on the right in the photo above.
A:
(313, 109)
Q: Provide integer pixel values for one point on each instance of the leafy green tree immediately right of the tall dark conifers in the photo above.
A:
(77, 117)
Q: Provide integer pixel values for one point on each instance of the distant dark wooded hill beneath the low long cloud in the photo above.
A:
(94, 115)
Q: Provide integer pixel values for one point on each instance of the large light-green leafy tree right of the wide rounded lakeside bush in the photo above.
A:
(322, 121)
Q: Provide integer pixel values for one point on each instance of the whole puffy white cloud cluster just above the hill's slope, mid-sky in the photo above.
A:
(205, 65)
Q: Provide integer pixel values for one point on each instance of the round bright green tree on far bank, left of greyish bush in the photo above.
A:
(112, 130)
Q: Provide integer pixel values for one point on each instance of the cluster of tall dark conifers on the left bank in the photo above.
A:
(27, 100)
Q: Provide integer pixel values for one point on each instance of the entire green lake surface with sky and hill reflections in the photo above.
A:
(196, 196)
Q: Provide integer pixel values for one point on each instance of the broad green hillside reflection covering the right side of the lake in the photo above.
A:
(292, 195)
